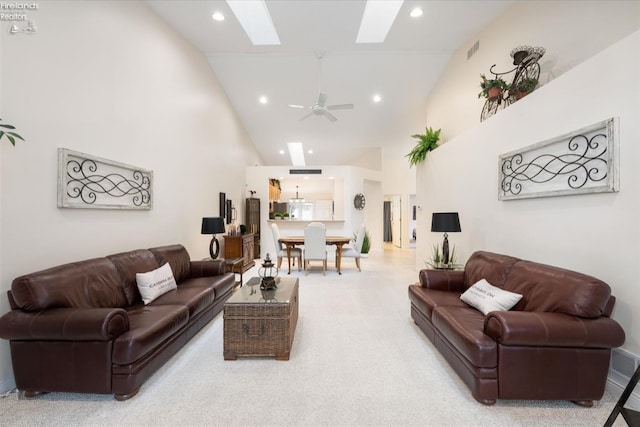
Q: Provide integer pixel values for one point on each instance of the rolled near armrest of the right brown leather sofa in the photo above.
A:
(552, 330)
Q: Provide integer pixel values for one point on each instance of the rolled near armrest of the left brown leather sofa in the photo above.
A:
(65, 324)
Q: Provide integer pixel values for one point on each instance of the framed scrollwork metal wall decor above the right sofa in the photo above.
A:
(584, 161)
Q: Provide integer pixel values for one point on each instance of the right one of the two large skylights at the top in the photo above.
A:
(377, 19)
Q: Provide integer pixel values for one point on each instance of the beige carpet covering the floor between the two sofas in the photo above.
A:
(357, 360)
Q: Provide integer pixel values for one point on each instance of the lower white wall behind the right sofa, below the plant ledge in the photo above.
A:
(595, 234)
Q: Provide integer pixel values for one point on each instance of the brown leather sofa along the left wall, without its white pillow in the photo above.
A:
(82, 327)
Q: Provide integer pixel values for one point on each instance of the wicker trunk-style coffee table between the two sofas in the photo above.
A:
(261, 323)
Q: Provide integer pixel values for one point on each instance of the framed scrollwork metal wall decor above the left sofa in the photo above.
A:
(86, 181)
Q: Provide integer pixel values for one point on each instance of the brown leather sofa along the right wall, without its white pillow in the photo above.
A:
(554, 344)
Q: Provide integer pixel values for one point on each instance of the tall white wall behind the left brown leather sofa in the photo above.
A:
(113, 80)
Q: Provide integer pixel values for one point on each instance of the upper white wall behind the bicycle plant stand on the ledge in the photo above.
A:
(571, 31)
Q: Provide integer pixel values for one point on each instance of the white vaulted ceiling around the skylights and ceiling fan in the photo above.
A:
(401, 70)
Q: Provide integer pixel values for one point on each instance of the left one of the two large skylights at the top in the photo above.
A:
(256, 21)
